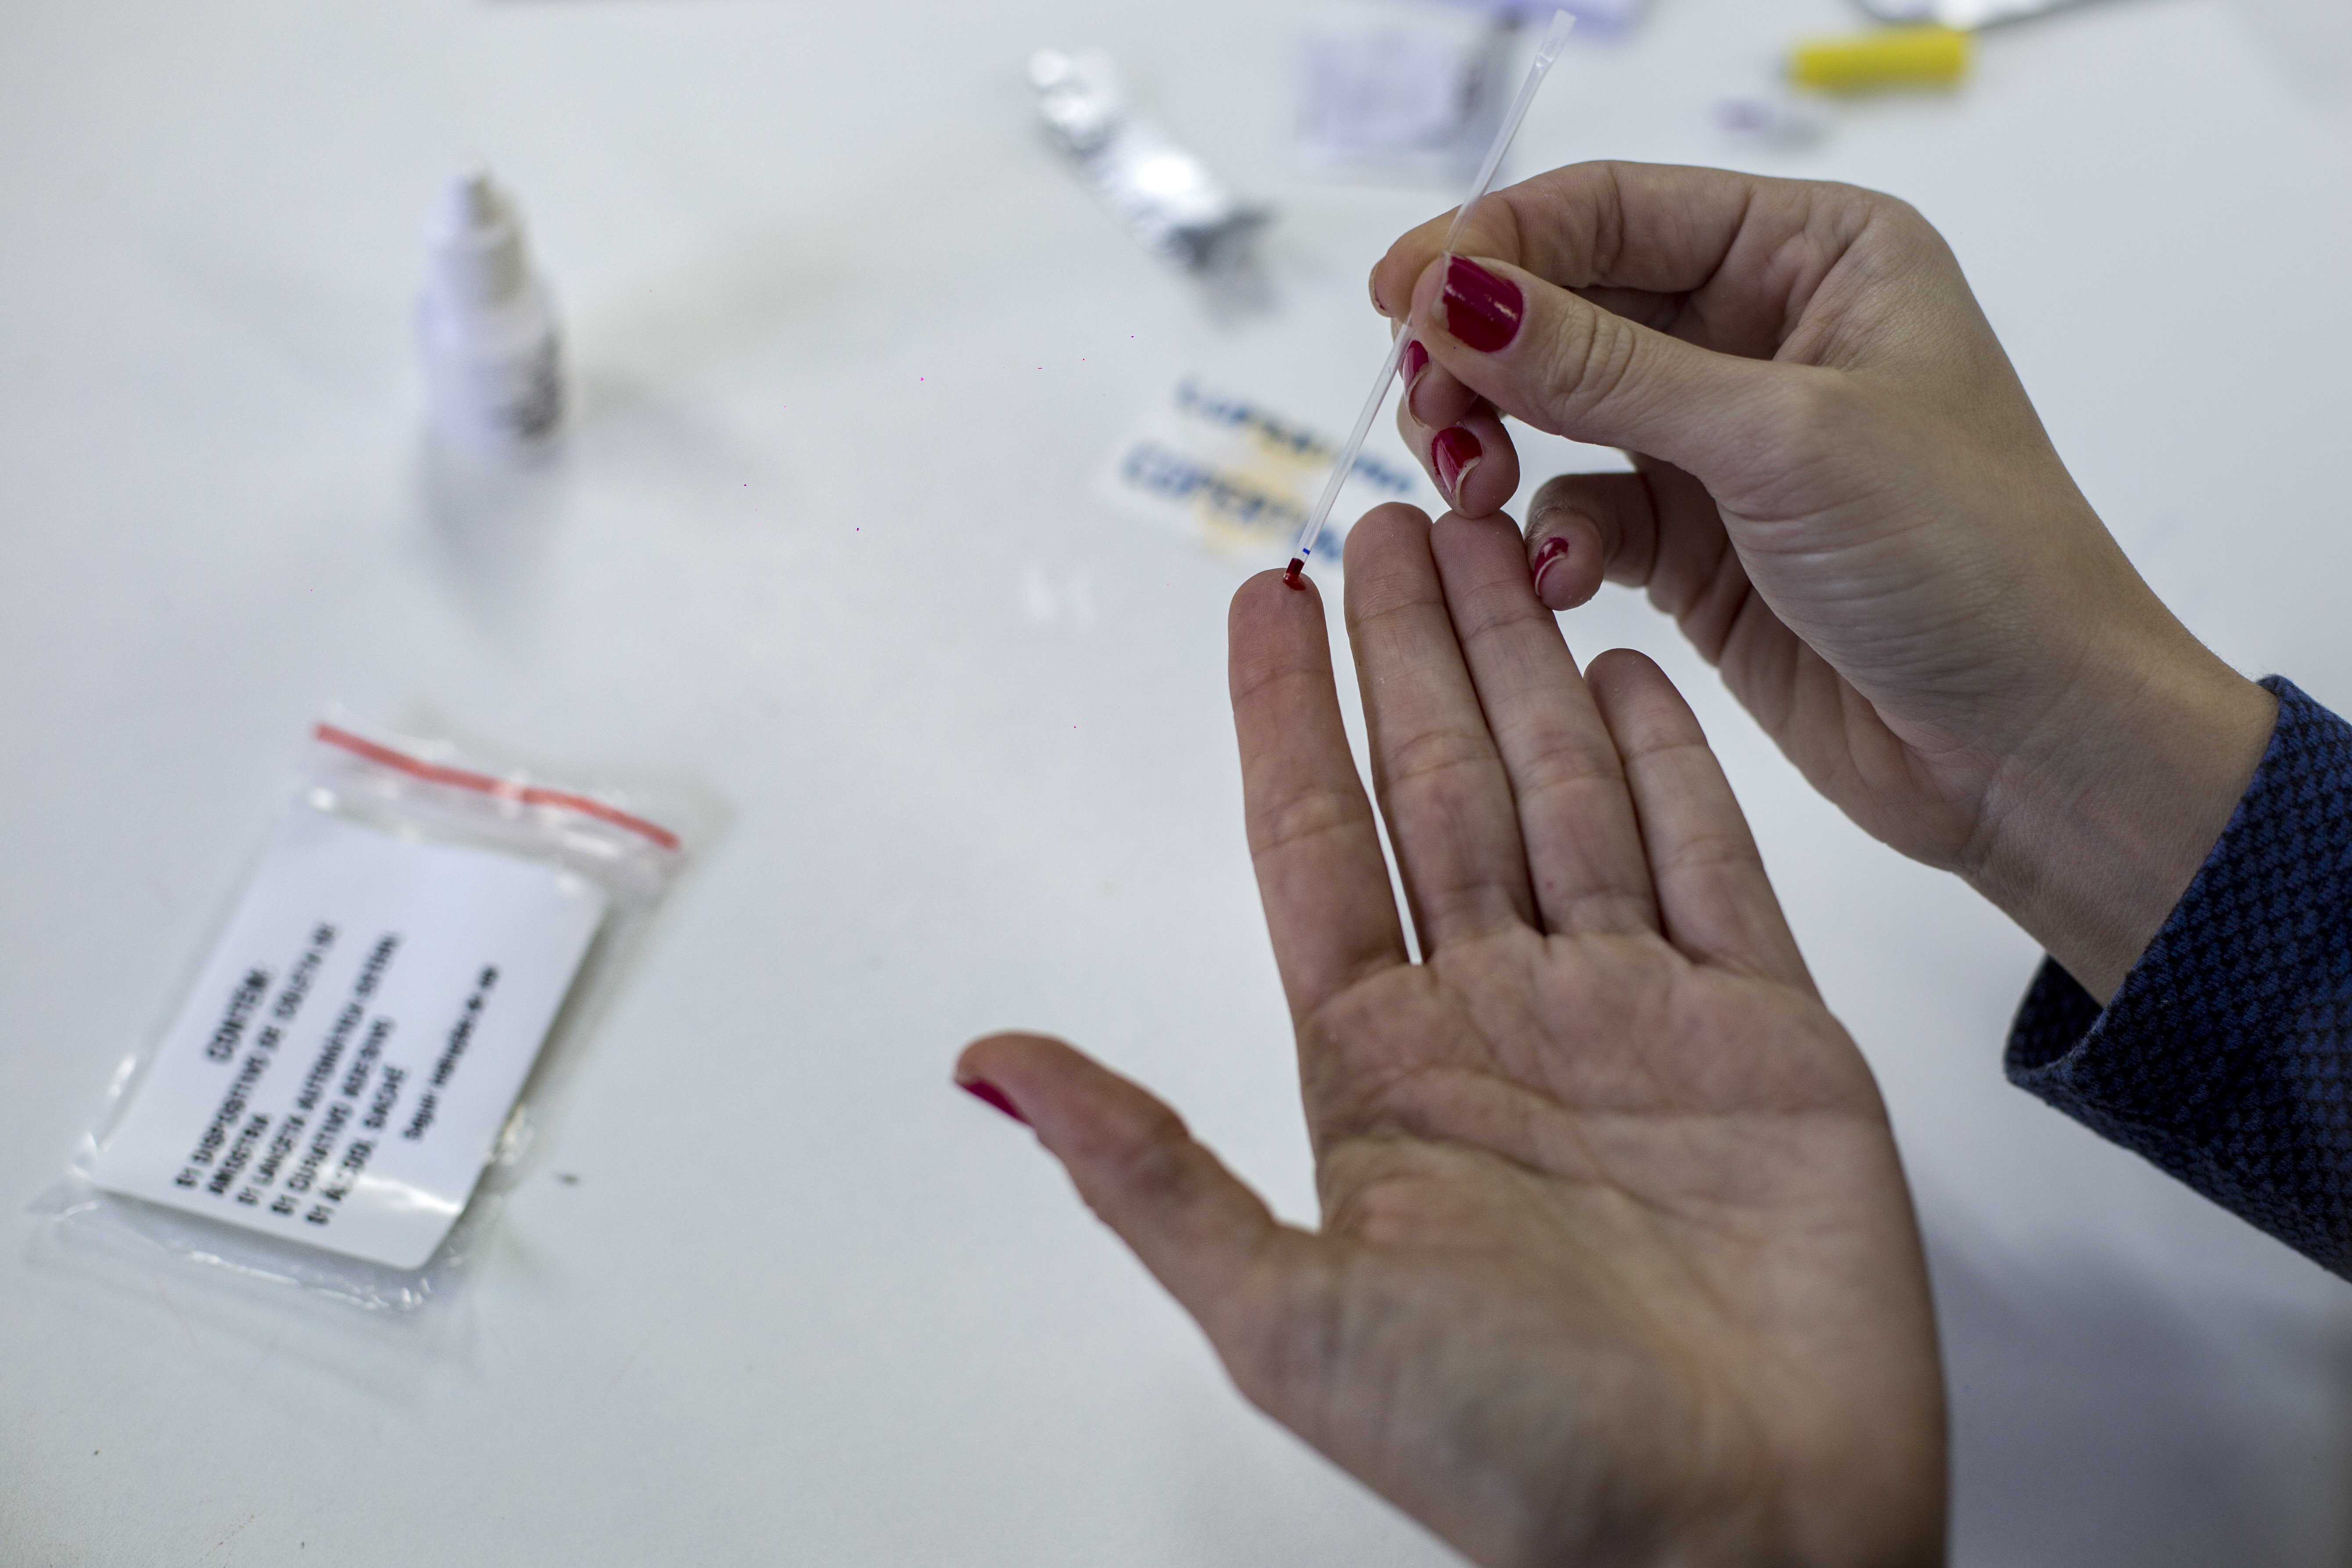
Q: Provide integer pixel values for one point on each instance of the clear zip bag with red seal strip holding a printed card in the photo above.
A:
(486, 864)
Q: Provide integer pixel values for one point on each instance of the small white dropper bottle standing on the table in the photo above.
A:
(488, 326)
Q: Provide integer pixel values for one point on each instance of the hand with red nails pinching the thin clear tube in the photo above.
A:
(1850, 507)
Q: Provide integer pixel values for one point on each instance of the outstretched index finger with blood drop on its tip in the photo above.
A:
(1314, 840)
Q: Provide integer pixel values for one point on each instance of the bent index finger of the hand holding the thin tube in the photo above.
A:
(1746, 250)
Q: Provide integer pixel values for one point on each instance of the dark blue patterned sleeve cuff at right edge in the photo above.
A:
(2226, 1057)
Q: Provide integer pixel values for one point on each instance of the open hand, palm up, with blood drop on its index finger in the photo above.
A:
(1617, 1264)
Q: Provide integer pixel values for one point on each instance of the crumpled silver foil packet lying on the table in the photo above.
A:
(1156, 187)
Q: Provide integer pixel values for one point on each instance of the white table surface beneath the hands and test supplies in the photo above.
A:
(824, 565)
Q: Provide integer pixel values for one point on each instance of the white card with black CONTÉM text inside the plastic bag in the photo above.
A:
(356, 1040)
